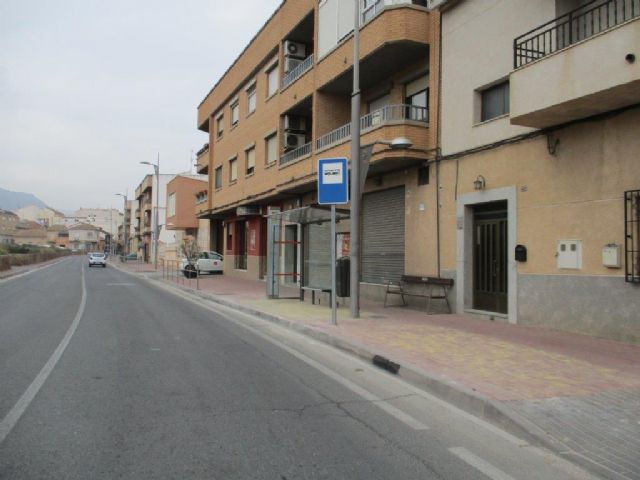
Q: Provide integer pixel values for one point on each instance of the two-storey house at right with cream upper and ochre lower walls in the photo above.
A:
(540, 174)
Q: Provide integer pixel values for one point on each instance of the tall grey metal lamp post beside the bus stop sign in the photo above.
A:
(354, 253)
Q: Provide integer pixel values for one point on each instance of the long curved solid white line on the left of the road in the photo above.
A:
(27, 397)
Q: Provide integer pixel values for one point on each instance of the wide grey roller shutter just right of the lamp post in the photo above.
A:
(383, 236)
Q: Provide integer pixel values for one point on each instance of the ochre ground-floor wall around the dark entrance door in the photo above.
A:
(576, 194)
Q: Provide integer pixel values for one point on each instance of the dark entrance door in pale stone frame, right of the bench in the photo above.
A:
(490, 257)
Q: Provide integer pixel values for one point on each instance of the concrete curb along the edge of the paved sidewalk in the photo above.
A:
(495, 412)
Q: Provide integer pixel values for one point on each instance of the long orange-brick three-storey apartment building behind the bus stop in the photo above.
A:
(285, 103)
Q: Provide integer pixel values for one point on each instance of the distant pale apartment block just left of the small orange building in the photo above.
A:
(144, 216)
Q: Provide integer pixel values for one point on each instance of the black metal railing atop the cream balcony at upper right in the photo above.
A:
(591, 19)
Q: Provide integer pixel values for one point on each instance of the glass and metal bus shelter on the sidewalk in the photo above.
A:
(299, 249)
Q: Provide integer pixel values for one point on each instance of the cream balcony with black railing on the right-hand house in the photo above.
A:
(577, 65)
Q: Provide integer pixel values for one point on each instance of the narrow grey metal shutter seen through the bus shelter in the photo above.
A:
(317, 257)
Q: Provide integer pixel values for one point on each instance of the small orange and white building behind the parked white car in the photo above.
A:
(185, 196)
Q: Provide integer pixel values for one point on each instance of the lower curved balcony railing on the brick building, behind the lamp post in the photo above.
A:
(387, 114)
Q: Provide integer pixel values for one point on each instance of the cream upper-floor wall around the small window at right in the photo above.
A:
(477, 50)
